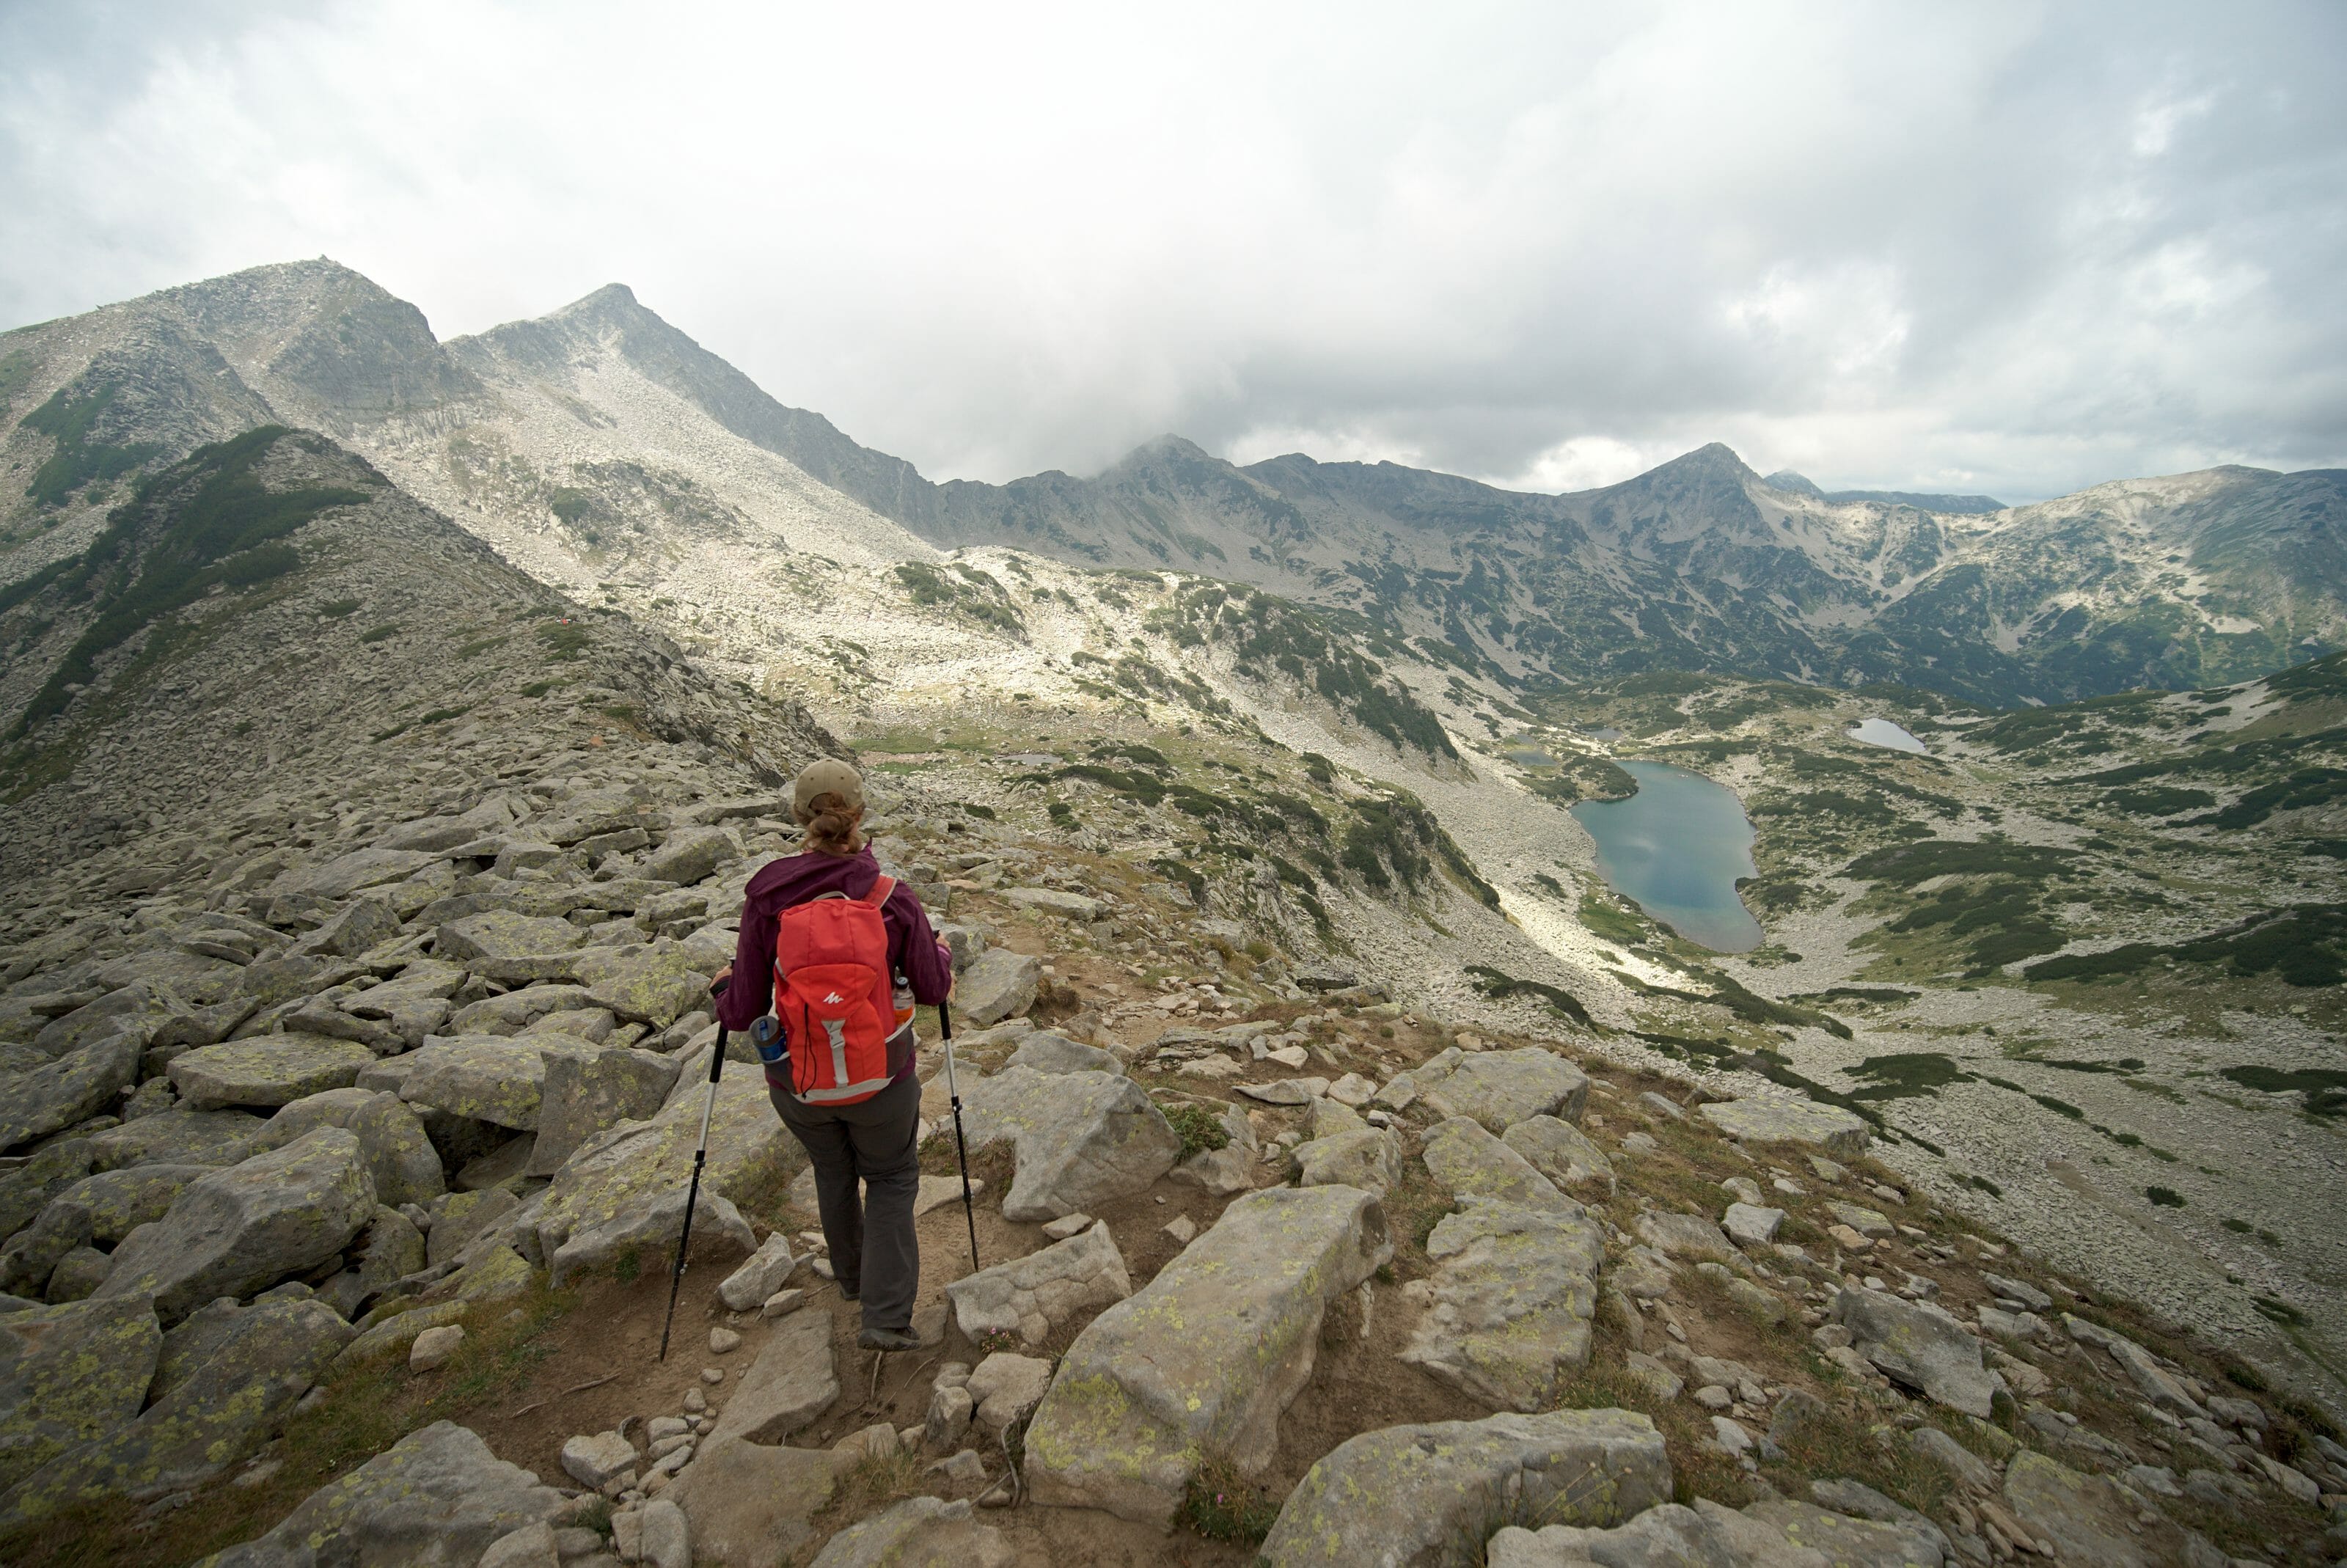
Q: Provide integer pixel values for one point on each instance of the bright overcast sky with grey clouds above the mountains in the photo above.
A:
(1987, 248)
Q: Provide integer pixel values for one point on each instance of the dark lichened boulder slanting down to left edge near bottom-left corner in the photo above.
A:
(210, 1412)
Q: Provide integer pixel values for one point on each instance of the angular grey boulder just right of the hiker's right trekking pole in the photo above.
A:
(1081, 1140)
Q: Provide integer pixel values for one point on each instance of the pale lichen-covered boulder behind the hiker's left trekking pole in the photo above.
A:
(637, 1165)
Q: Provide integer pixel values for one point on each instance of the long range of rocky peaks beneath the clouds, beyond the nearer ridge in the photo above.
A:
(602, 442)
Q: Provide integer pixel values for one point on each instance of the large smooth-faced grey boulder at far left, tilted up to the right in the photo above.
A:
(250, 1226)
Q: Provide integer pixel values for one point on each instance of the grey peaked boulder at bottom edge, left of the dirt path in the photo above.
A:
(438, 1499)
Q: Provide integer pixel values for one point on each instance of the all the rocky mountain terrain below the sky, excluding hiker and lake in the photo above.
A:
(1355, 1170)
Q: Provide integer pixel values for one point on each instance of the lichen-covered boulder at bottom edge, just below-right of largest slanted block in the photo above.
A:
(1423, 1496)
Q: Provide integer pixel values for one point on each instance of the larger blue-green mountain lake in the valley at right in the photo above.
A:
(1677, 851)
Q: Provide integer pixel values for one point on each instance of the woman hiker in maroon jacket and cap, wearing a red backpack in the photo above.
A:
(844, 985)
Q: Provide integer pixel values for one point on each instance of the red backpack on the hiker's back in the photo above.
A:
(834, 996)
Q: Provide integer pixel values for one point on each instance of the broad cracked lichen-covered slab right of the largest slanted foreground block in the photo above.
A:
(1515, 1292)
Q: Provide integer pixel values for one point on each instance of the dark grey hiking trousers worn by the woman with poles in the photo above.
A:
(872, 1238)
